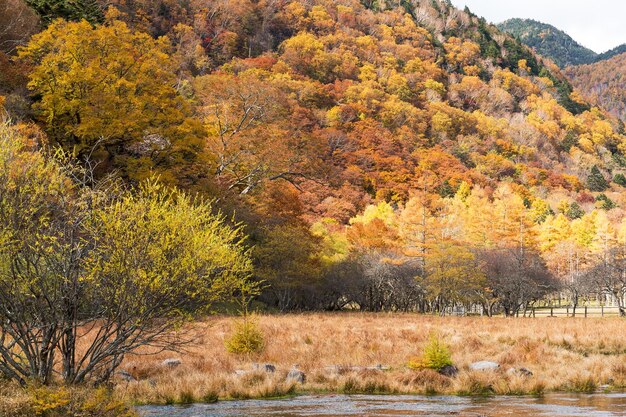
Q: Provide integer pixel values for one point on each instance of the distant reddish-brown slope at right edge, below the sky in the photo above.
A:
(603, 83)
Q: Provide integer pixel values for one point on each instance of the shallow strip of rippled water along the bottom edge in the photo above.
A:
(553, 405)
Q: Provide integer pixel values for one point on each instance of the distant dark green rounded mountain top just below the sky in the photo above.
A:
(549, 41)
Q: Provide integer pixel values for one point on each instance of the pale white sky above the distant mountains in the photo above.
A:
(597, 24)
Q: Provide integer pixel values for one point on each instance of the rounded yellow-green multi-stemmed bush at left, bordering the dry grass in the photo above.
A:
(158, 258)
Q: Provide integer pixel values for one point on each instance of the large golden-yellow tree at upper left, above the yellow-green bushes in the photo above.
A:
(108, 92)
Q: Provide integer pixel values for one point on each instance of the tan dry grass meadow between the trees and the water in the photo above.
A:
(335, 350)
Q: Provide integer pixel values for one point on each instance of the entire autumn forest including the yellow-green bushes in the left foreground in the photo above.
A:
(161, 160)
